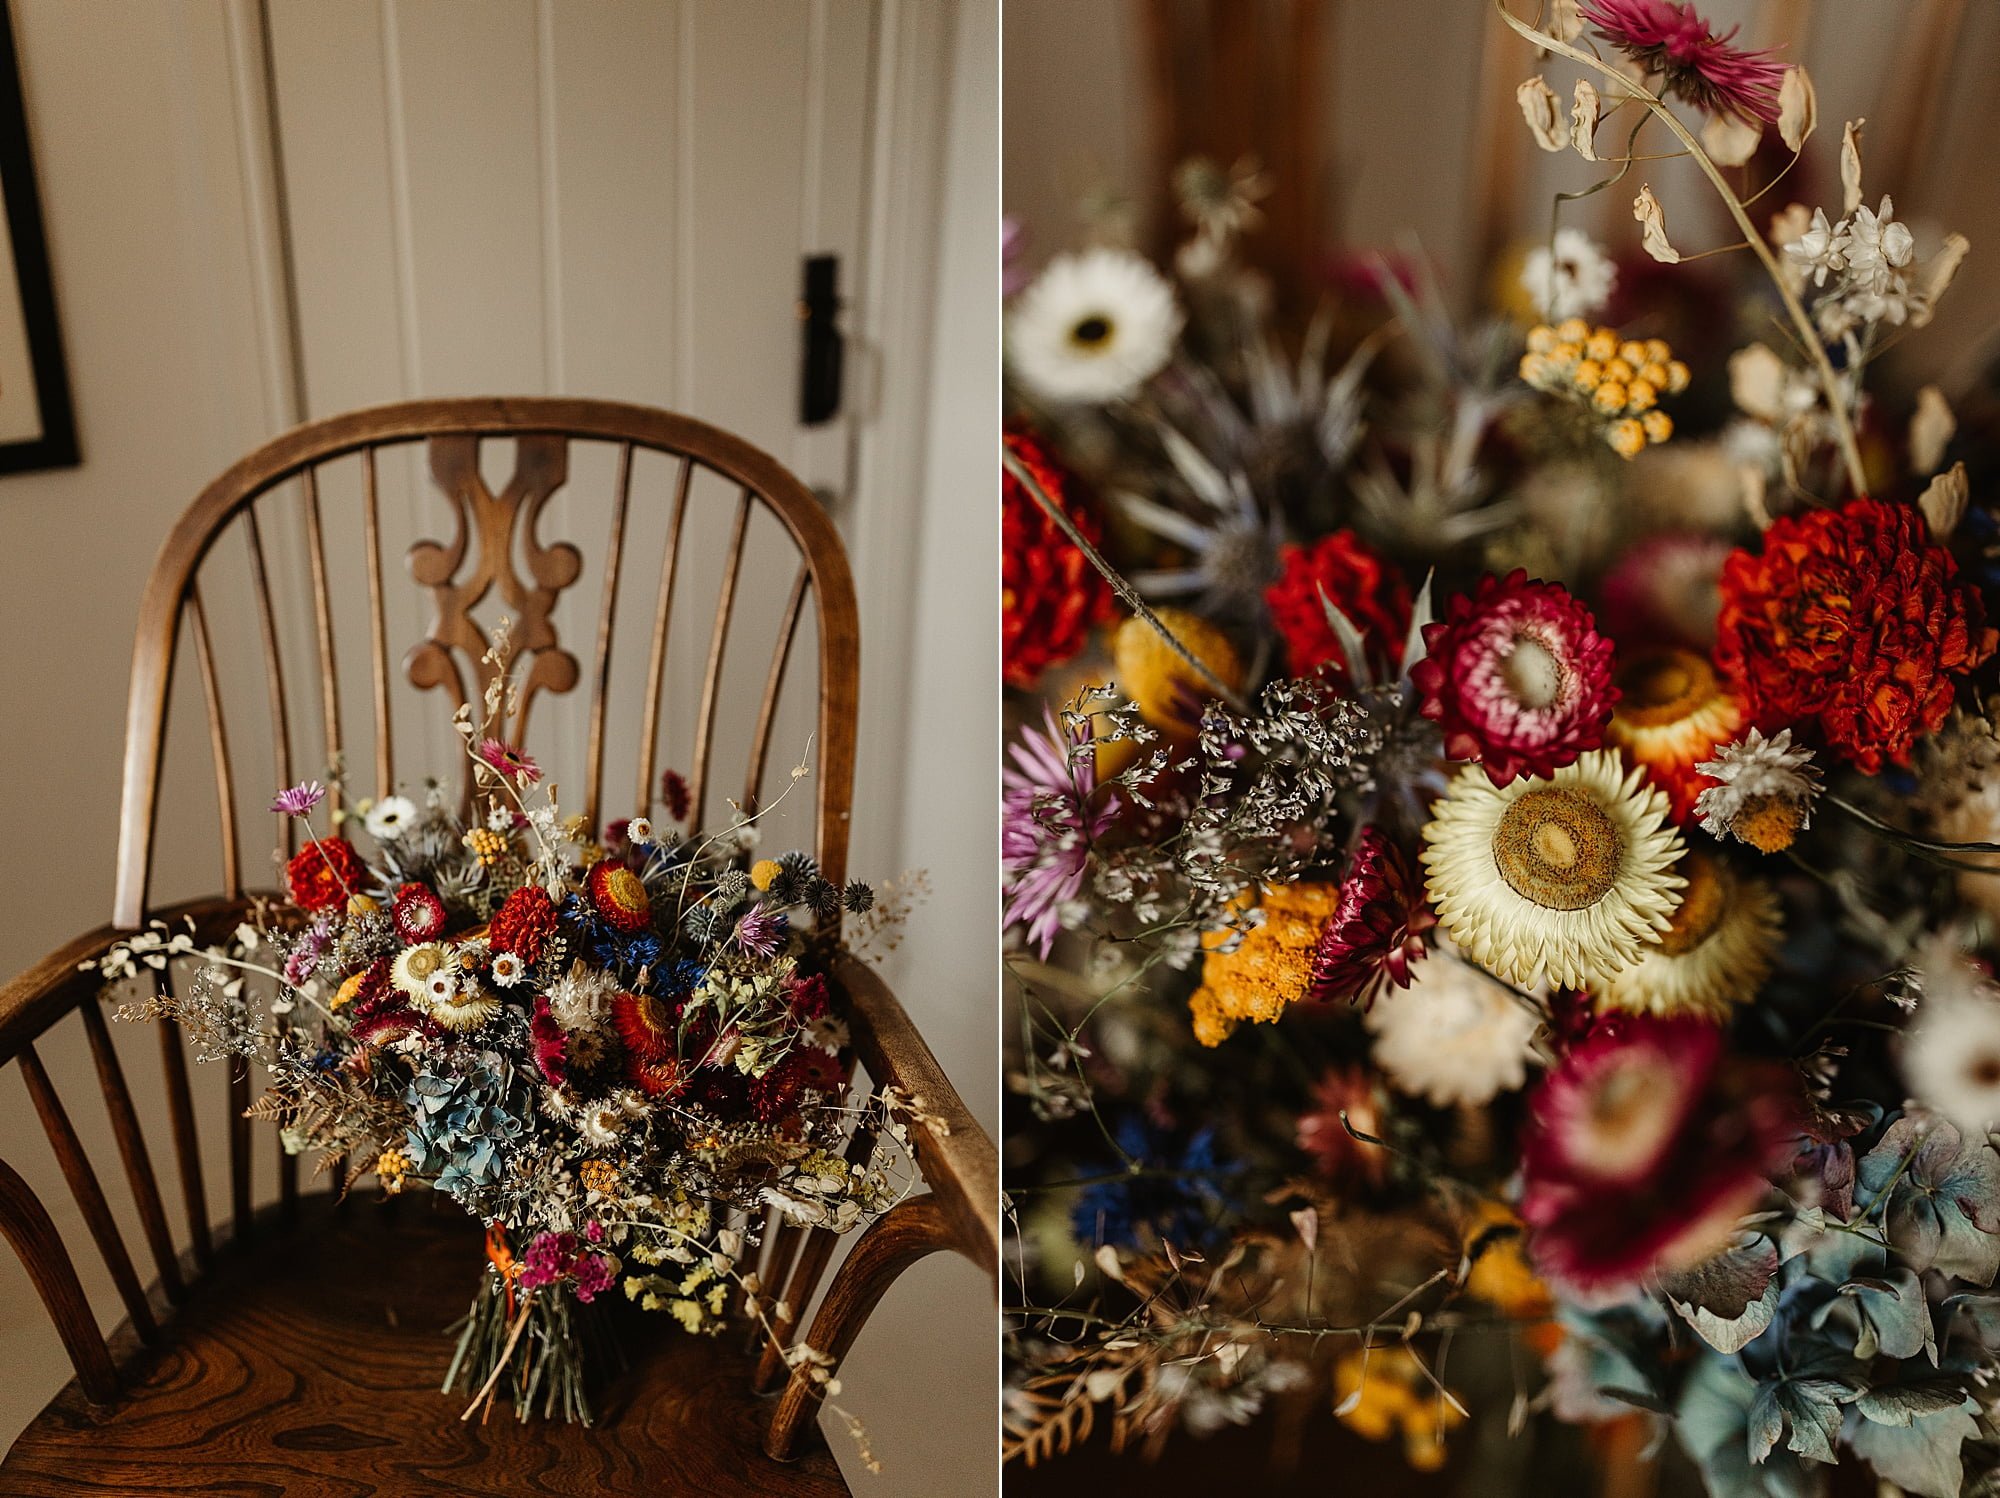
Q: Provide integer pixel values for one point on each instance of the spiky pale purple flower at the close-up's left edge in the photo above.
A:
(1049, 823)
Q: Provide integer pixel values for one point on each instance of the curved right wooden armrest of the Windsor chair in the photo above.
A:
(959, 1161)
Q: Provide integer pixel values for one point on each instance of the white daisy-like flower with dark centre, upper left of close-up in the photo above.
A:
(1093, 327)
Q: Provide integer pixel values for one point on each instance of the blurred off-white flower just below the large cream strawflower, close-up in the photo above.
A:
(1453, 1037)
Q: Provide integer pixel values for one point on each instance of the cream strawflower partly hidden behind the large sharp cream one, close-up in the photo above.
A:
(1713, 957)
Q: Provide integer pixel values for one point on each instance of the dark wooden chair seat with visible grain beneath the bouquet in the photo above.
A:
(309, 1363)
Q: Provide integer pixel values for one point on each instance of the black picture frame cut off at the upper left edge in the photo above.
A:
(23, 205)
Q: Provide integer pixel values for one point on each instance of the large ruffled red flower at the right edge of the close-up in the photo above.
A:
(1849, 621)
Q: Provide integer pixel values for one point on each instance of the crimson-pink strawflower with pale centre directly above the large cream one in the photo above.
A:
(1517, 677)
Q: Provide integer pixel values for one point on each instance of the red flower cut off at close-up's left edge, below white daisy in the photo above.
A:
(1049, 591)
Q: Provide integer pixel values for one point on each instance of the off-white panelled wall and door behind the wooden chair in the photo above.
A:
(521, 197)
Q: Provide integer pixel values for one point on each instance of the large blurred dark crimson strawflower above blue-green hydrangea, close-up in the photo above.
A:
(1645, 1147)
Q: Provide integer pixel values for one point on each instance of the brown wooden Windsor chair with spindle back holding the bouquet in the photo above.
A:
(297, 1347)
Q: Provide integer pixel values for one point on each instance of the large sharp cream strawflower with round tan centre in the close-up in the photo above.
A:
(1565, 879)
